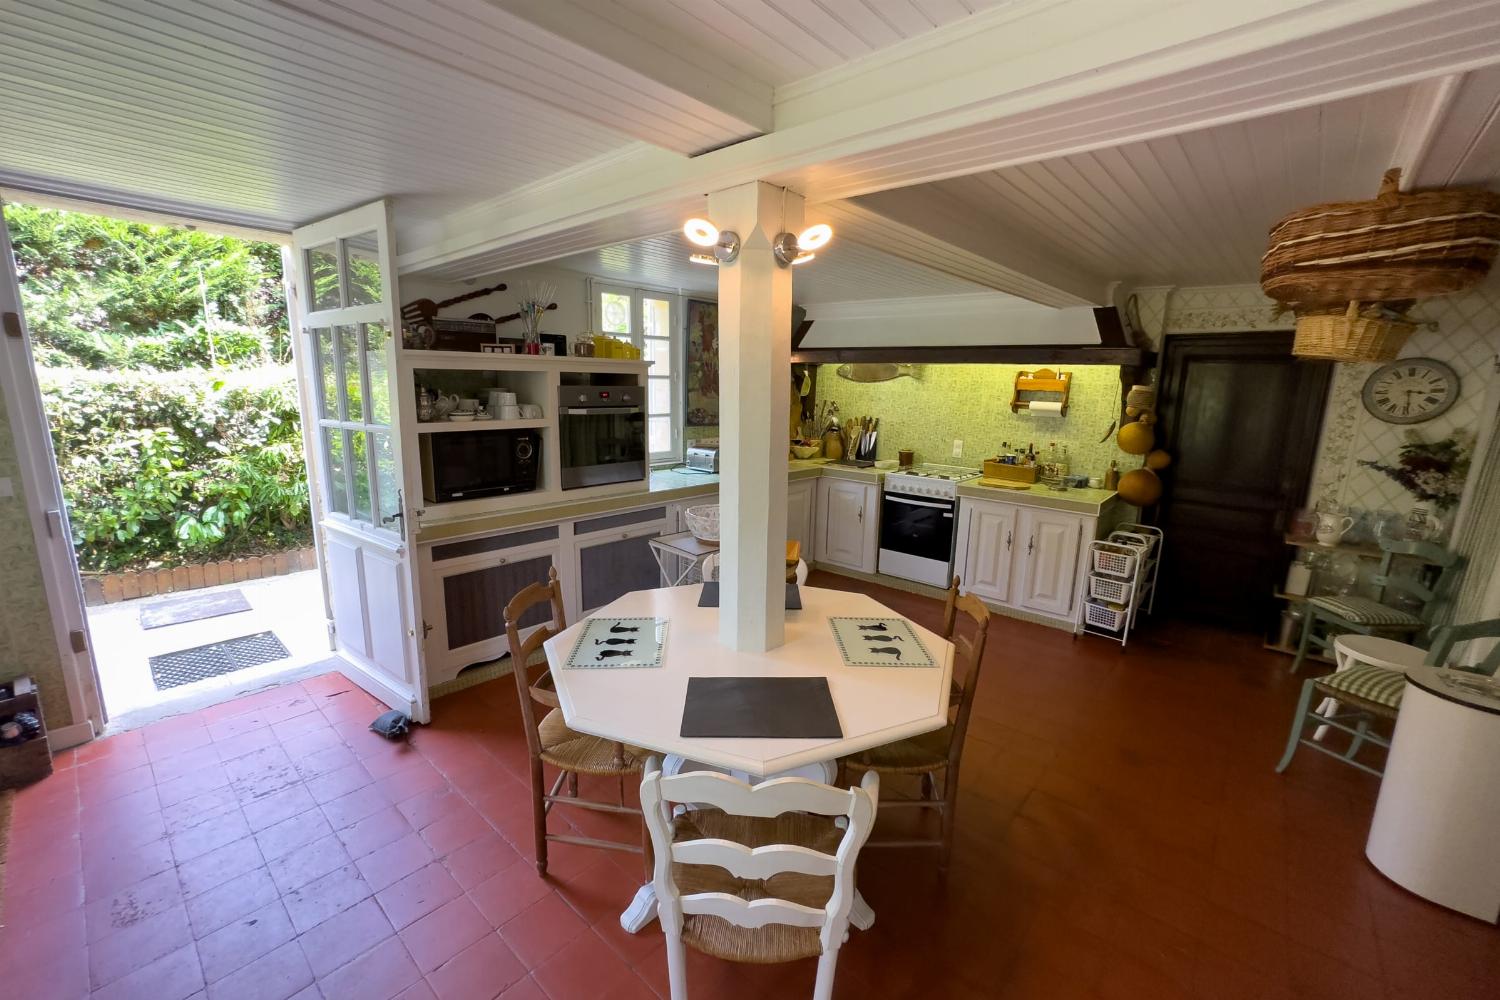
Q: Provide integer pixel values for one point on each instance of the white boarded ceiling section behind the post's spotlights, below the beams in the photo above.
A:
(842, 272)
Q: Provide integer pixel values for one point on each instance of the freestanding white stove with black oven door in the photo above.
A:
(919, 509)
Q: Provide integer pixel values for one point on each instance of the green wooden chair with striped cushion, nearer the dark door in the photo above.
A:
(1330, 617)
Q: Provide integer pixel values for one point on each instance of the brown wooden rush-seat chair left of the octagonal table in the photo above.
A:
(553, 743)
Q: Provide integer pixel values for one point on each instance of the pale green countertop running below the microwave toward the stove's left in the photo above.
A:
(664, 488)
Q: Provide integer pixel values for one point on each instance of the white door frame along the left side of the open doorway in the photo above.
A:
(43, 494)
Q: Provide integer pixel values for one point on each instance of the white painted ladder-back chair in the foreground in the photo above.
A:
(763, 876)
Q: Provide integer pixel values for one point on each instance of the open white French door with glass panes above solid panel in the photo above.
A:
(344, 283)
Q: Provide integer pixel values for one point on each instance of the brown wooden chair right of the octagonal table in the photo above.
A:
(940, 753)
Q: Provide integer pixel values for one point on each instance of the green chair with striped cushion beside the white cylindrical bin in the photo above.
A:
(1364, 693)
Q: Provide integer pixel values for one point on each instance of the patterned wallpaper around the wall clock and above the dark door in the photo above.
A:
(1466, 337)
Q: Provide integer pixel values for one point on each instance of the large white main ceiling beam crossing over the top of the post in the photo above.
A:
(1093, 80)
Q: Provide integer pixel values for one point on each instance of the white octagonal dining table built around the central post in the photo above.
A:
(643, 707)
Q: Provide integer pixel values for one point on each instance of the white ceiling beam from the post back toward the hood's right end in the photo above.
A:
(920, 226)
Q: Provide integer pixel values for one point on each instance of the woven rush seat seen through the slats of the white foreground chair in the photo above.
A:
(775, 942)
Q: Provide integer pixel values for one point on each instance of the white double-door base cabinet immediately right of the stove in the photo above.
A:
(1024, 557)
